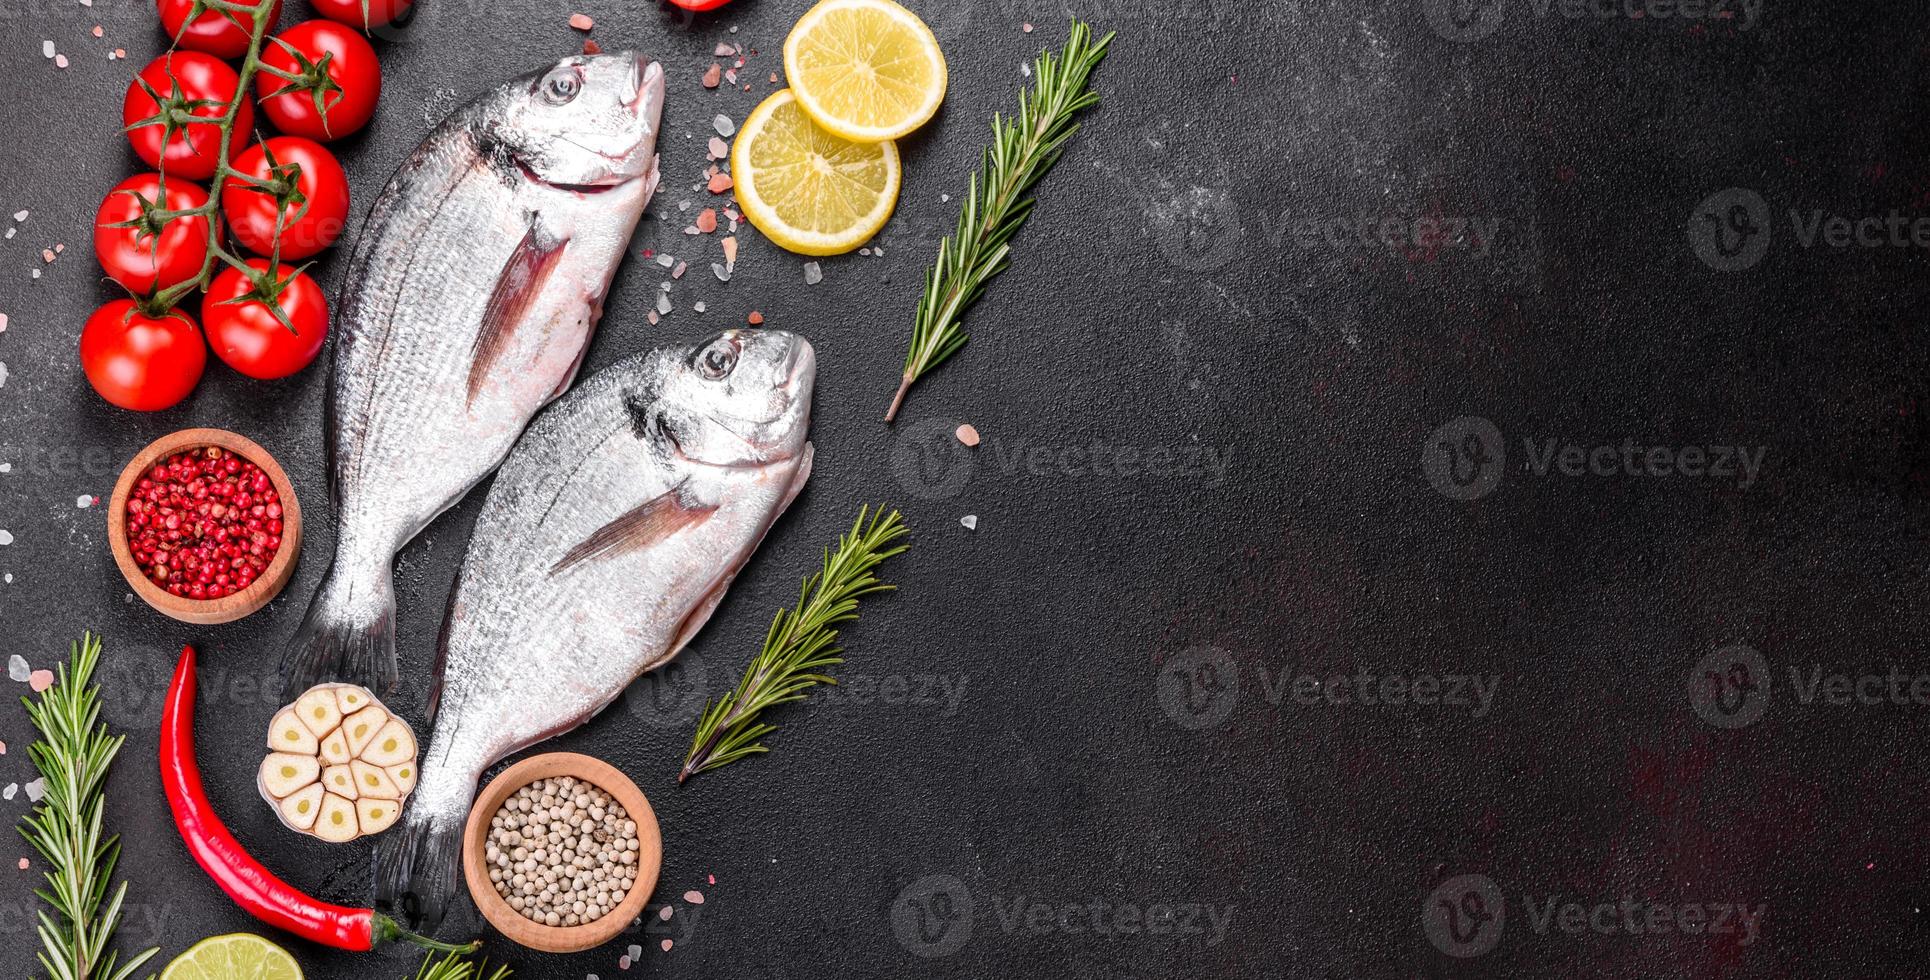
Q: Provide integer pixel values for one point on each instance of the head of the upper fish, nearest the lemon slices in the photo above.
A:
(586, 122)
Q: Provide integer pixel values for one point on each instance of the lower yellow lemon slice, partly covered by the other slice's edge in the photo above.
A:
(810, 190)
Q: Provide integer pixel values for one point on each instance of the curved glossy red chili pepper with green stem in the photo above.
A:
(244, 879)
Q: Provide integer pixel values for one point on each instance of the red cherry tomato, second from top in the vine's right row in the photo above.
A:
(350, 82)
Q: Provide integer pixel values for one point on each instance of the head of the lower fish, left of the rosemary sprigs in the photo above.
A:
(740, 398)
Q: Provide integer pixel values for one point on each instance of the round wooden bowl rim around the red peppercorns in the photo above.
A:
(207, 611)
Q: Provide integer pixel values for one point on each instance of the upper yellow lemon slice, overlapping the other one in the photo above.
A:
(868, 70)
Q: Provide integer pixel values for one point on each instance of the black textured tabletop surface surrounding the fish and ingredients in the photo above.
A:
(1122, 628)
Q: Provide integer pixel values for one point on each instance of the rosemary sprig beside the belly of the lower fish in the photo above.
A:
(800, 645)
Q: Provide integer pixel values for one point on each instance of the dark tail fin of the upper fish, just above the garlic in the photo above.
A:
(350, 632)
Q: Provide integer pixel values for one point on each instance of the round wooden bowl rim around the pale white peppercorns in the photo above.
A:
(561, 939)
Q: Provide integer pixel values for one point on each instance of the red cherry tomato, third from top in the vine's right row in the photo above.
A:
(302, 175)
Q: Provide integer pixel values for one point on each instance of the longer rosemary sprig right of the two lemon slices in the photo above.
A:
(995, 207)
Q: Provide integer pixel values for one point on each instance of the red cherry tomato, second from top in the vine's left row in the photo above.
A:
(192, 151)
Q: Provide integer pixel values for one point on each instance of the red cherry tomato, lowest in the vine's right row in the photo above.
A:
(250, 339)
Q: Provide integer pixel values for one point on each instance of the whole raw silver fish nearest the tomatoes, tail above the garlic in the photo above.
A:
(468, 308)
